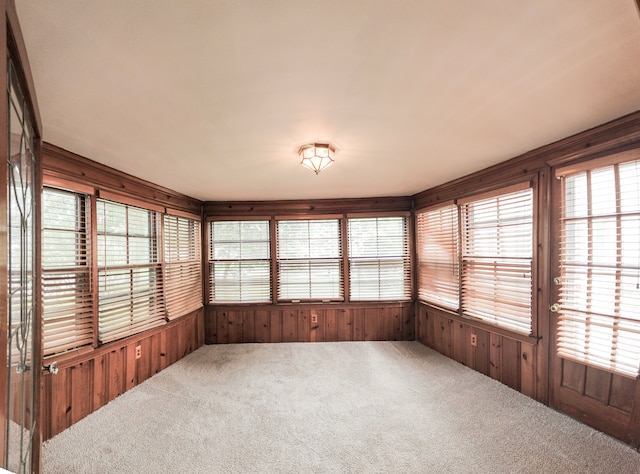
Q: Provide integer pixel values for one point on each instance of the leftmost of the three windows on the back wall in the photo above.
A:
(239, 262)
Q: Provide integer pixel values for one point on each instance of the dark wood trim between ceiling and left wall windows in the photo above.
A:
(60, 163)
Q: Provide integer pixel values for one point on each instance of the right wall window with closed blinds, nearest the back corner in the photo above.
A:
(438, 257)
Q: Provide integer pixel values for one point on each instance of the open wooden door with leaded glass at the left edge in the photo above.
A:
(20, 335)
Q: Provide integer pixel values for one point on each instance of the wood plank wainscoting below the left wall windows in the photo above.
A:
(89, 381)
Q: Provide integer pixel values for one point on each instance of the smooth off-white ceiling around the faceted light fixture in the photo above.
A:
(212, 98)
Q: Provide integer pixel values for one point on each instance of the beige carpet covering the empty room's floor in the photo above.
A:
(361, 407)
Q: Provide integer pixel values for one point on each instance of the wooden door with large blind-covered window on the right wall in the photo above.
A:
(595, 307)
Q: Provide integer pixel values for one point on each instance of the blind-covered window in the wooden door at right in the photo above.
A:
(599, 317)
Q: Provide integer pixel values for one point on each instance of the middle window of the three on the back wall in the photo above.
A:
(309, 260)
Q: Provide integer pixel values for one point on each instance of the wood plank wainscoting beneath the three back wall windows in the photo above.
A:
(309, 323)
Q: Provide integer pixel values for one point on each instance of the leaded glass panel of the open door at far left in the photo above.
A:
(22, 362)
